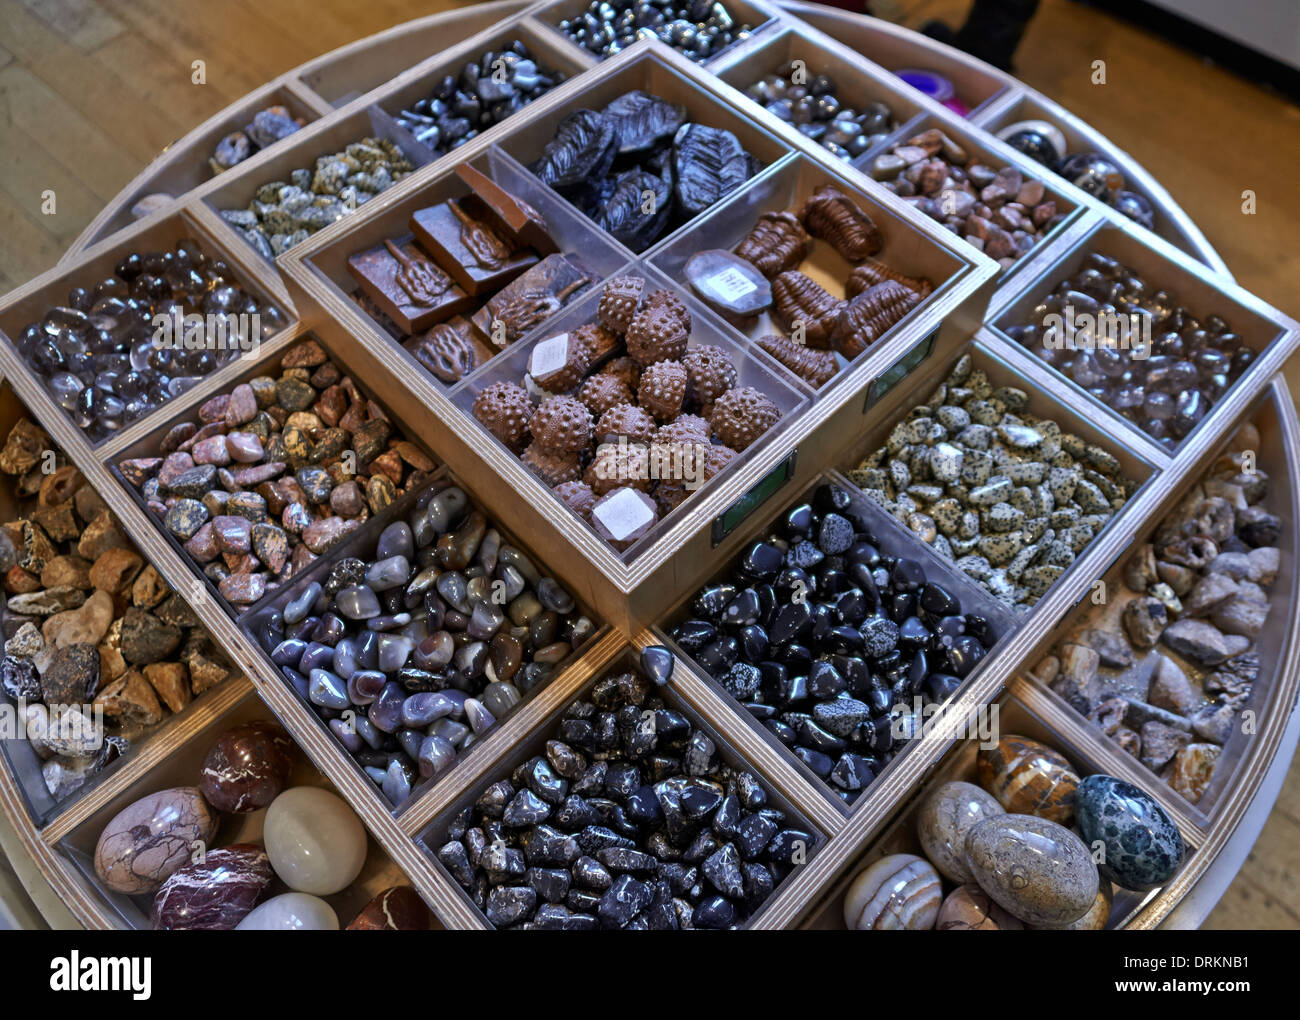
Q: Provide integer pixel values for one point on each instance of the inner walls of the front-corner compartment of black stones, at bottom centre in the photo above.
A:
(674, 697)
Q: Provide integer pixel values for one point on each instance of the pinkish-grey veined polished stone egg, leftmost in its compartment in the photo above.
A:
(151, 839)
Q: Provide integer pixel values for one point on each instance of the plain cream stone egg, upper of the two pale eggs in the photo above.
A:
(315, 841)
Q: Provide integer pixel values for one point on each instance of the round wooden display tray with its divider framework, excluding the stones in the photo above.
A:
(638, 597)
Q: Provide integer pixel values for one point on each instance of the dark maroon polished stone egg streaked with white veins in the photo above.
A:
(215, 893)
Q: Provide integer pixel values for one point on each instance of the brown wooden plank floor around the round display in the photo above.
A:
(90, 90)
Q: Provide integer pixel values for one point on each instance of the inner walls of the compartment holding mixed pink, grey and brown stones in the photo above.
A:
(268, 363)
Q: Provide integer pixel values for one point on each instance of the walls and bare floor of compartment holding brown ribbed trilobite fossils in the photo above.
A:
(786, 188)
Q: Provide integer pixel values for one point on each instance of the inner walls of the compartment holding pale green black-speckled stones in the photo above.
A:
(915, 390)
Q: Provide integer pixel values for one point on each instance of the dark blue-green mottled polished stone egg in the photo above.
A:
(1143, 847)
